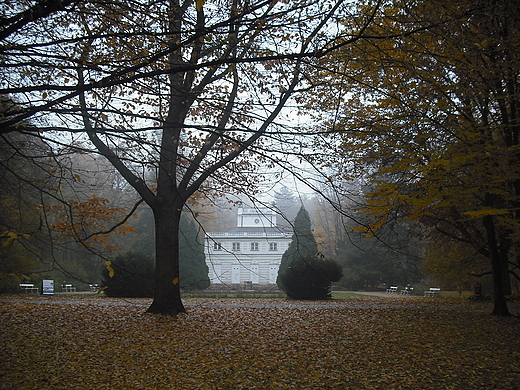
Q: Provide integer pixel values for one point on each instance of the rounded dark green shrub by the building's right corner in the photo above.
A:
(310, 278)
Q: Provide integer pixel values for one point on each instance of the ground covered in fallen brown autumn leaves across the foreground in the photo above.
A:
(365, 343)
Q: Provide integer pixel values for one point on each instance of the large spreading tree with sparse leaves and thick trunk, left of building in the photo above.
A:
(170, 87)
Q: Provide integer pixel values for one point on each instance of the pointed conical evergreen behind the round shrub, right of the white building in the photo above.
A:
(303, 244)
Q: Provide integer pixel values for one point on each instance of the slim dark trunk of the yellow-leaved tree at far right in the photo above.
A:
(497, 268)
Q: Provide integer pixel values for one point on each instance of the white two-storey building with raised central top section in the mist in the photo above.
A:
(248, 255)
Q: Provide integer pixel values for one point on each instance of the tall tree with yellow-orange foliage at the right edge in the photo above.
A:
(434, 118)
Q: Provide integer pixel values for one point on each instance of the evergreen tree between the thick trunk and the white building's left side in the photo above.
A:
(192, 261)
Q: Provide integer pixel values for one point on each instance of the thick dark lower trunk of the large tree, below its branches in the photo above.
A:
(167, 299)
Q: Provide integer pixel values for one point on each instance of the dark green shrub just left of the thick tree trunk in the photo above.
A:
(134, 276)
